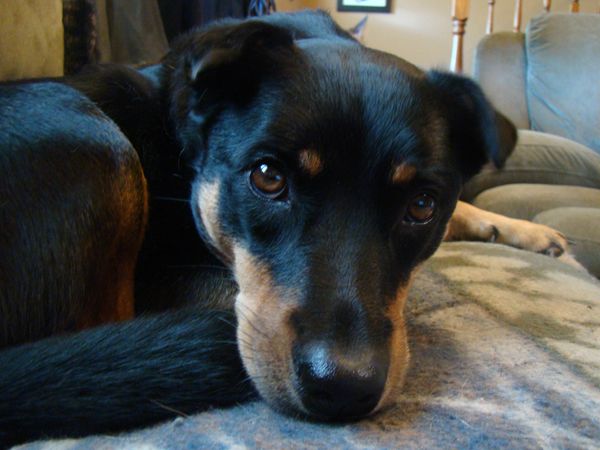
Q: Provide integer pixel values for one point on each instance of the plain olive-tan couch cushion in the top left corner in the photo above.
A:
(31, 39)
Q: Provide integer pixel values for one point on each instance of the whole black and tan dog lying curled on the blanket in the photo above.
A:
(321, 173)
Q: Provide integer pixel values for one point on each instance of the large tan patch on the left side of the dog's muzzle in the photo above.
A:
(264, 334)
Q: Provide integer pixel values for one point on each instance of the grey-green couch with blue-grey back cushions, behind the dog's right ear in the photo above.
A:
(546, 81)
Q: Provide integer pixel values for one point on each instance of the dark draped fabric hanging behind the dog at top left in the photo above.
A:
(139, 31)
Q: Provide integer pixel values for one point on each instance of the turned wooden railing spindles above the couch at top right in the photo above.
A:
(460, 14)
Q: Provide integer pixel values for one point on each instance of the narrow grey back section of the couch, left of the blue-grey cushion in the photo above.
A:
(499, 67)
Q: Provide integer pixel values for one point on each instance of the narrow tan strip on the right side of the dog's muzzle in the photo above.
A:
(399, 351)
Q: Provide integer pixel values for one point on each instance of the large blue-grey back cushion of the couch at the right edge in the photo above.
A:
(563, 76)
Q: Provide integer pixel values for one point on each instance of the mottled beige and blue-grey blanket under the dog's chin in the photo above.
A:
(505, 354)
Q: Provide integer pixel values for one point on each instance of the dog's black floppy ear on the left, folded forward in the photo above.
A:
(221, 65)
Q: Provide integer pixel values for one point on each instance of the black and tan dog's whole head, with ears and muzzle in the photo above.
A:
(326, 173)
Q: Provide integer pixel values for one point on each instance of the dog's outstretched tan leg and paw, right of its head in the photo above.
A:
(470, 223)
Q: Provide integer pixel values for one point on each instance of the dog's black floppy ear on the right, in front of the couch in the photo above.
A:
(478, 133)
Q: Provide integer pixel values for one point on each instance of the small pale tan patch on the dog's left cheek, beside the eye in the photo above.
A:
(208, 205)
